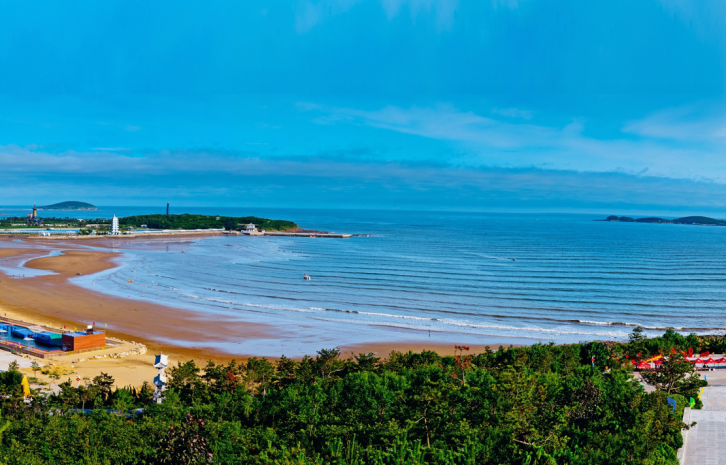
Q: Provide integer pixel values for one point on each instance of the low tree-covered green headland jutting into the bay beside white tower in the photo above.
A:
(187, 221)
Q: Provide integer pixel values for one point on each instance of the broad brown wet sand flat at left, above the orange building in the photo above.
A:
(53, 299)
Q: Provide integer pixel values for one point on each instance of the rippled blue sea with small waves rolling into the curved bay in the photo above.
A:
(444, 277)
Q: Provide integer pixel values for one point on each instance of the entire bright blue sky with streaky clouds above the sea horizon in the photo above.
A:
(491, 105)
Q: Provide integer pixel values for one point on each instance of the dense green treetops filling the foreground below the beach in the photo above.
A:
(543, 404)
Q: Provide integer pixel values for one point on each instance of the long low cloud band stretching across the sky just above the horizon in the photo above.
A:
(221, 177)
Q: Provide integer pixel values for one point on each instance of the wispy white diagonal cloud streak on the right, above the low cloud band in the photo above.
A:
(516, 142)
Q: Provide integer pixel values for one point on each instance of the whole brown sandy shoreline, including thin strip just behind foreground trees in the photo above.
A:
(55, 299)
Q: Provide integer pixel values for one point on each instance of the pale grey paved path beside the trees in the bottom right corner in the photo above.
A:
(706, 442)
